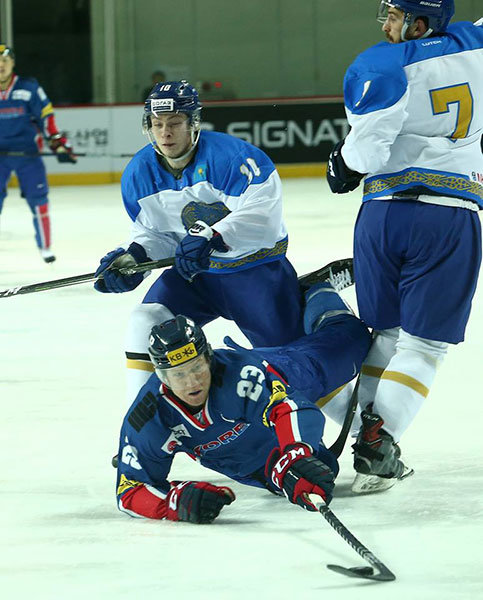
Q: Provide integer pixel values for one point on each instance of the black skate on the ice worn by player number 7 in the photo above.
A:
(376, 457)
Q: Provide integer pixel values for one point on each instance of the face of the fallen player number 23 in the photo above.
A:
(190, 382)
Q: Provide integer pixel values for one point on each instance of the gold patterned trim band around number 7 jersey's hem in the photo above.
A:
(441, 181)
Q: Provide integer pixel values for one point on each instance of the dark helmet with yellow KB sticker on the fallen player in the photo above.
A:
(175, 342)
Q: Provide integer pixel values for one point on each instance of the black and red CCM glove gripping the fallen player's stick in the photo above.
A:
(297, 472)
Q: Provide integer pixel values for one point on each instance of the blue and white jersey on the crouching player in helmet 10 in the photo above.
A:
(229, 182)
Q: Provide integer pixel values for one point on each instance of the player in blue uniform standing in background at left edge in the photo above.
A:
(26, 112)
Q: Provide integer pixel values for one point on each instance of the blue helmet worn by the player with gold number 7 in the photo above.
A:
(437, 13)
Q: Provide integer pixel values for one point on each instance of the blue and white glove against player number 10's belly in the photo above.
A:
(193, 252)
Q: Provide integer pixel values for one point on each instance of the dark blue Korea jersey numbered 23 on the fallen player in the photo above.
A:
(250, 410)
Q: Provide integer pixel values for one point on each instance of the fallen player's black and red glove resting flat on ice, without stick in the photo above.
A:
(197, 501)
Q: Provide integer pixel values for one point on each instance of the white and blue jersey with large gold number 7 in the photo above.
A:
(416, 112)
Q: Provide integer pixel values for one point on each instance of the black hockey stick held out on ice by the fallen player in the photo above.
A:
(382, 572)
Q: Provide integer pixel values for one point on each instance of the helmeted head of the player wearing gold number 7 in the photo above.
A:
(435, 16)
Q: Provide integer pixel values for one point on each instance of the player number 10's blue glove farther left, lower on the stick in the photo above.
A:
(113, 281)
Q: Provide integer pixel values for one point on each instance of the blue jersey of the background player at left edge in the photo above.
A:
(24, 109)
